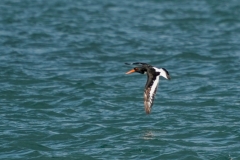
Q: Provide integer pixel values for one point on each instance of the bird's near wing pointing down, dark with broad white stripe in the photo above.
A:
(150, 91)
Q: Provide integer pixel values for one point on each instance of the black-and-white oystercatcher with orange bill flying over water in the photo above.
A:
(153, 75)
